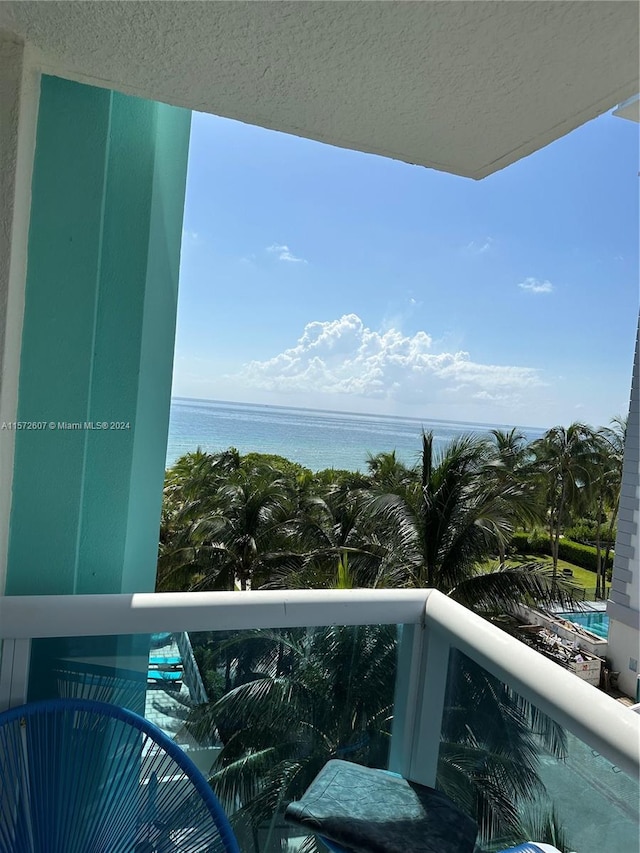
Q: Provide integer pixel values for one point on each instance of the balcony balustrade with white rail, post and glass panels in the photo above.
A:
(403, 678)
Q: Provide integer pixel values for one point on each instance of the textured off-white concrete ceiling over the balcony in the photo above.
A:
(465, 87)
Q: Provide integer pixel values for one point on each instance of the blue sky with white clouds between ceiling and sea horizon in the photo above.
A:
(324, 278)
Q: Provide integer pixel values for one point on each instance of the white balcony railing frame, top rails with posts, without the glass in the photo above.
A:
(433, 625)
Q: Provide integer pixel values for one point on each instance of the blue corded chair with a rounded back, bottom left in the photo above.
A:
(80, 776)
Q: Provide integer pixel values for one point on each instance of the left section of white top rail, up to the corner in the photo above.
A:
(37, 616)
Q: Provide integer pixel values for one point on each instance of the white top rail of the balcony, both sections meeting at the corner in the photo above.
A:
(597, 719)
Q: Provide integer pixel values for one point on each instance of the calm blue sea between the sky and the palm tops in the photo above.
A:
(316, 439)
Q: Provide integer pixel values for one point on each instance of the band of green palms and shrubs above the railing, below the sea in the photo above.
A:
(260, 520)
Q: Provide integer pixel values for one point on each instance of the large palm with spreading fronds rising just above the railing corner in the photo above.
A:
(443, 526)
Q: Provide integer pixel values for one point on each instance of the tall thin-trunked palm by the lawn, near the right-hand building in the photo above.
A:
(564, 459)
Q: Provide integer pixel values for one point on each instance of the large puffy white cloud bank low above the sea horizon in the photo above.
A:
(345, 357)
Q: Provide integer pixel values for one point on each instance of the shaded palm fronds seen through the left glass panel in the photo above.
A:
(305, 696)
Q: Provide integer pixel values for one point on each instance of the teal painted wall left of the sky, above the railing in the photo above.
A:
(98, 336)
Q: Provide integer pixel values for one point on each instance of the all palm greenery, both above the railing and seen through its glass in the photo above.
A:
(283, 702)
